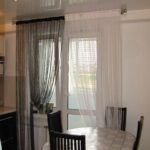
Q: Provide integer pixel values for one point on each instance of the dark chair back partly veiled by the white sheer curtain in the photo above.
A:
(110, 118)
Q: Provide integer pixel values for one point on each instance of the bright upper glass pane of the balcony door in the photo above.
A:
(82, 68)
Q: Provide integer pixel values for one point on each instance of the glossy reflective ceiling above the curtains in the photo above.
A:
(28, 9)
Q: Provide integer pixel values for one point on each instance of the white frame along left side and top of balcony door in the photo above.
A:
(65, 79)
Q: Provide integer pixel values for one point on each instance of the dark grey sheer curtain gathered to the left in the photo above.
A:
(38, 60)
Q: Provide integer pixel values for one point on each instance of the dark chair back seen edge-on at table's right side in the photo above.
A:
(139, 132)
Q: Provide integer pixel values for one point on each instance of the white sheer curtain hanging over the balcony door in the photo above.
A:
(94, 64)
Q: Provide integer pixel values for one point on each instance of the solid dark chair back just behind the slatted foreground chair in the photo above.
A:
(54, 121)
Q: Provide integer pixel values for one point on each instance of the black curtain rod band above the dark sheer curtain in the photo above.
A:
(40, 20)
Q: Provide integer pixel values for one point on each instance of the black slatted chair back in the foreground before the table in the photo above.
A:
(62, 141)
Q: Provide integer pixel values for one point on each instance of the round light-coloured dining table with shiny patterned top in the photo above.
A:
(103, 138)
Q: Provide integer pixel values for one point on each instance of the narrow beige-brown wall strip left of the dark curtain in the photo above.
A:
(10, 70)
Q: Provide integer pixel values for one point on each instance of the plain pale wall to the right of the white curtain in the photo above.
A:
(136, 76)
